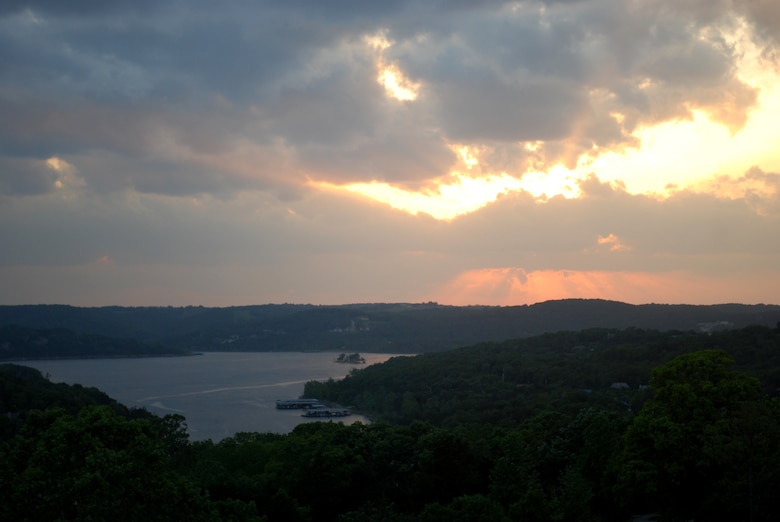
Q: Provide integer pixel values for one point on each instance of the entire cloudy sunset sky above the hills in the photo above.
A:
(172, 153)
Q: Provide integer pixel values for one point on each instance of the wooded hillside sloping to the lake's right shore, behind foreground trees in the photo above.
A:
(504, 383)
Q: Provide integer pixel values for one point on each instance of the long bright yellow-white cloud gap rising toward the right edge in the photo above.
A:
(671, 156)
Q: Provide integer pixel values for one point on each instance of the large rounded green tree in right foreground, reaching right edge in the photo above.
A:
(679, 447)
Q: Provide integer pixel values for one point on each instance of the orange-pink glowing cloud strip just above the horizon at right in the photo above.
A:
(515, 286)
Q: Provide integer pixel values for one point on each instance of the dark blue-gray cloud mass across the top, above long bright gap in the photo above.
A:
(111, 77)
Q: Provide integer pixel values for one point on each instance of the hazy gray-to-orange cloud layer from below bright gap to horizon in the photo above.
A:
(325, 244)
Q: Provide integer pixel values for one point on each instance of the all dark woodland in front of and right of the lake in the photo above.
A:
(523, 440)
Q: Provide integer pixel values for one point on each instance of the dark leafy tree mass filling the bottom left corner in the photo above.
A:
(93, 466)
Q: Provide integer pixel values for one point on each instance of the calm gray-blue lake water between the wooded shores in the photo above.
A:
(220, 394)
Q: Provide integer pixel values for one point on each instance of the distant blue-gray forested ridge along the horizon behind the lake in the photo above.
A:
(379, 327)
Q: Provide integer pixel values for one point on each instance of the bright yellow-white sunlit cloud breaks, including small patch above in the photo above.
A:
(669, 156)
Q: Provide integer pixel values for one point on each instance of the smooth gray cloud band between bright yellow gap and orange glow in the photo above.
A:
(516, 231)
